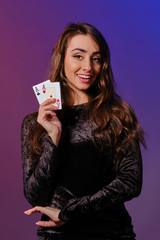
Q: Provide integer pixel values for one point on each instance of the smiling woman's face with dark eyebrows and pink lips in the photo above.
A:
(82, 63)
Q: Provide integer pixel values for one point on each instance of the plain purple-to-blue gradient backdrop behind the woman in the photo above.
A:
(28, 32)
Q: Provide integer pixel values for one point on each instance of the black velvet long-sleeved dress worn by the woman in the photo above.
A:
(78, 178)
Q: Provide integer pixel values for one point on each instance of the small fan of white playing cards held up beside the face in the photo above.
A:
(47, 90)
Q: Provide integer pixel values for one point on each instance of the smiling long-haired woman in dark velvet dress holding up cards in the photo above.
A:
(81, 163)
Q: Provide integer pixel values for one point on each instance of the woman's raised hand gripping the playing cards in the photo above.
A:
(47, 118)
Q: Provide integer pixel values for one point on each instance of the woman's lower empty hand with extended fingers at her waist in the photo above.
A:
(52, 213)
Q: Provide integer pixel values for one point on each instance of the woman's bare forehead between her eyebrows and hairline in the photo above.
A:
(82, 41)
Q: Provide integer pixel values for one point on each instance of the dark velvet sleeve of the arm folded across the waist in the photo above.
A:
(124, 187)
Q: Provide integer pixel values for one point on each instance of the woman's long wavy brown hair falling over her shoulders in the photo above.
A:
(116, 121)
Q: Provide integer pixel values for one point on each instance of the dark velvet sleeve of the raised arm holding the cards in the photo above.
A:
(37, 178)
